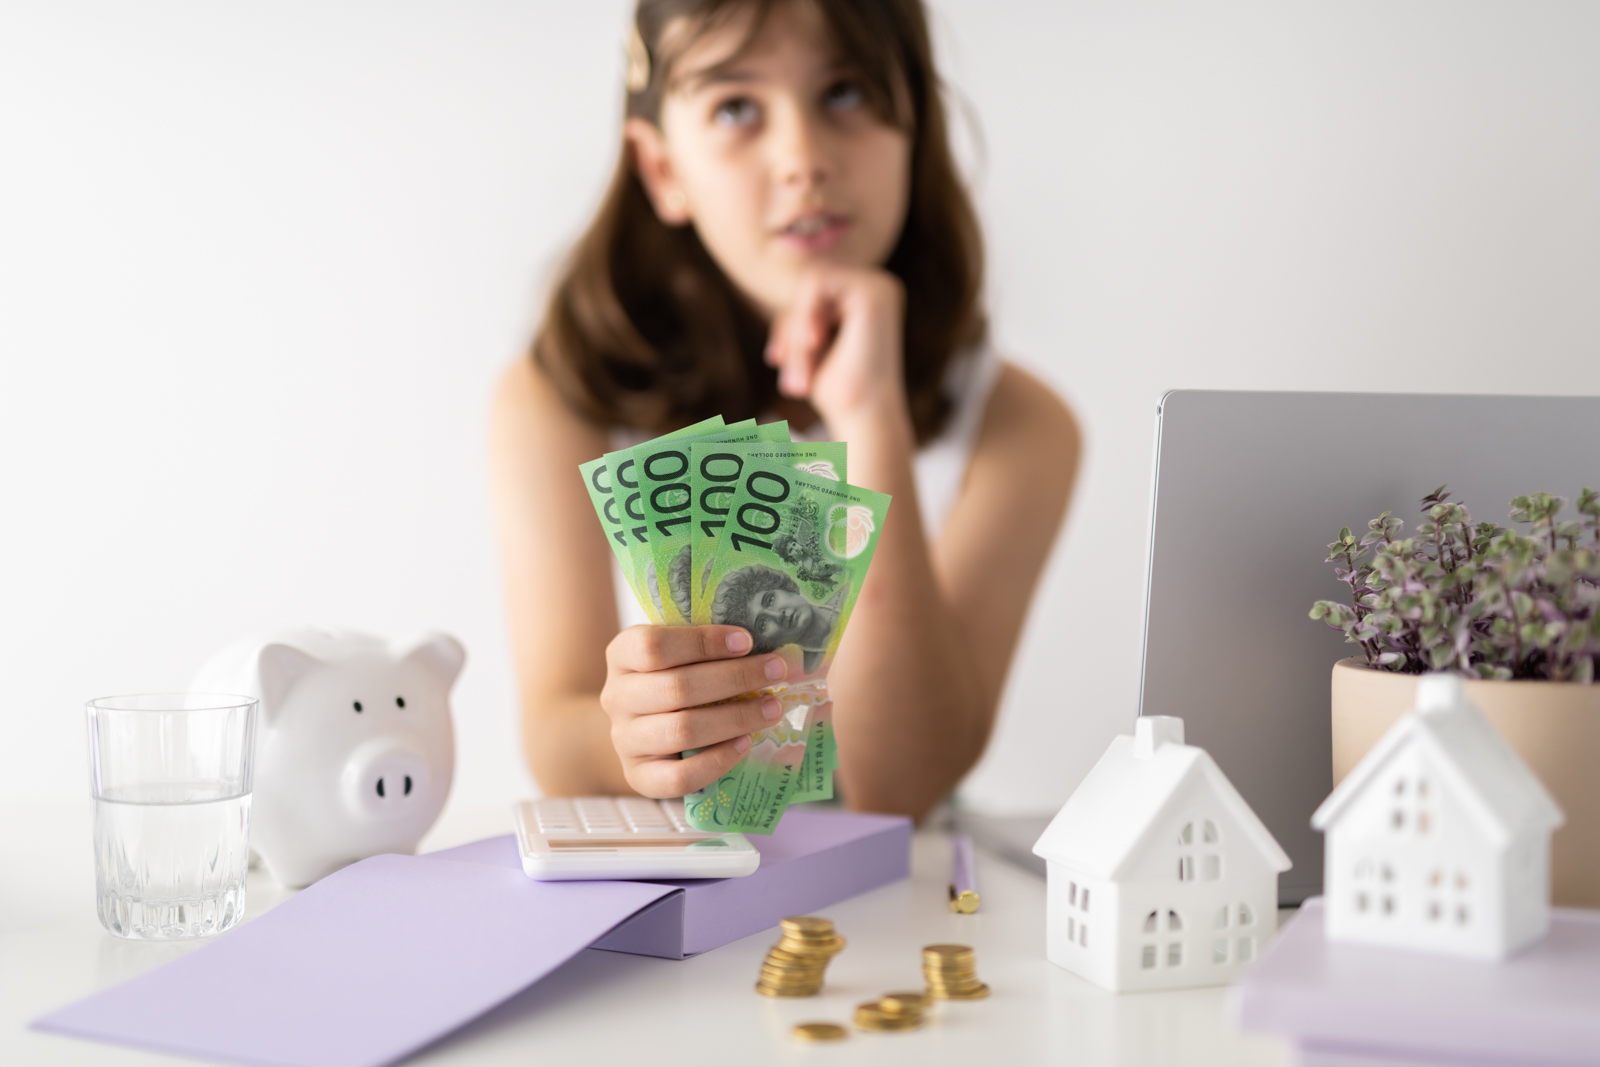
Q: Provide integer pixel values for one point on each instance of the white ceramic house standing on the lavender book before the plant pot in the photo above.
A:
(1441, 837)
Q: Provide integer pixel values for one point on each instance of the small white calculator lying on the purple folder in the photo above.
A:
(623, 837)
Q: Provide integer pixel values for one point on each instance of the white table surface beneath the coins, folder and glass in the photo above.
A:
(617, 1009)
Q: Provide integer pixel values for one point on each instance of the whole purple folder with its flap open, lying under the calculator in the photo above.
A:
(394, 953)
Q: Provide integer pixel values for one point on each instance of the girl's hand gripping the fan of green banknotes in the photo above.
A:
(658, 679)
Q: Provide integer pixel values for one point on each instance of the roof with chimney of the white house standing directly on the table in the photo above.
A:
(1126, 796)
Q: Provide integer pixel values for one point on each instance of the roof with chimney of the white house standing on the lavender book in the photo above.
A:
(1471, 759)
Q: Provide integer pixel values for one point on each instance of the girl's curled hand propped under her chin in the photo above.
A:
(839, 345)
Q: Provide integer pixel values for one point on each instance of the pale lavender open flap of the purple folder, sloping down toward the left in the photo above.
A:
(362, 969)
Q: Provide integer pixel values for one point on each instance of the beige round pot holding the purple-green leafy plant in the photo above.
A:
(1553, 725)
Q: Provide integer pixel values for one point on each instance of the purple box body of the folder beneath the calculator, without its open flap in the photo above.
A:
(815, 858)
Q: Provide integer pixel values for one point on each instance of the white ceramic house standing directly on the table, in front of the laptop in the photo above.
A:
(1161, 876)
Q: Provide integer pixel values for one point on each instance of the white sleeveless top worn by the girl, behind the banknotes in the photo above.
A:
(940, 466)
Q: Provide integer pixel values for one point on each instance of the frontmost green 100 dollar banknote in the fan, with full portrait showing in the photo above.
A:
(788, 567)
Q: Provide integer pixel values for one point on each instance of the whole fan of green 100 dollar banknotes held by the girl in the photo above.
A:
(735, 524)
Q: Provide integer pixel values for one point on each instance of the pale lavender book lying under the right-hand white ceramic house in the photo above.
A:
(1351, 1004)
